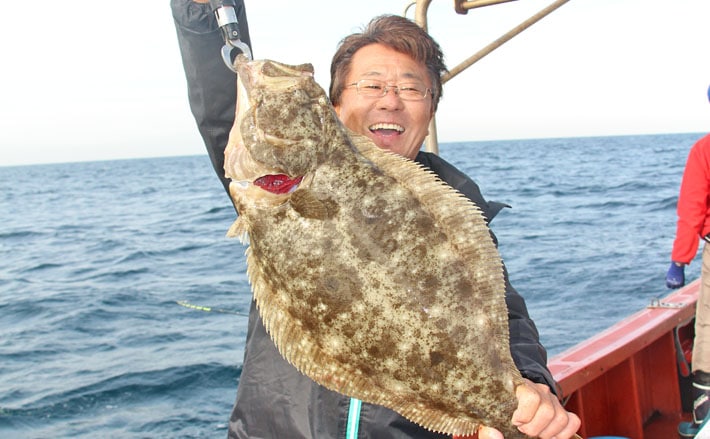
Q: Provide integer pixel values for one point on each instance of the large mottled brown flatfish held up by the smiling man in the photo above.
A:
(373, 278)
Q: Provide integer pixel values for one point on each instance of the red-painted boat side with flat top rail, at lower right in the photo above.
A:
(625, 381)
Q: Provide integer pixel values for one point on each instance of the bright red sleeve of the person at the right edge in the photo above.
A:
(693, 202)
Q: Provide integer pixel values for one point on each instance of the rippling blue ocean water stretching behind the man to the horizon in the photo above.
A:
(95, 258)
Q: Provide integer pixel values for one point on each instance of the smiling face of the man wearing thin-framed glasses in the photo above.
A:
(392, 123)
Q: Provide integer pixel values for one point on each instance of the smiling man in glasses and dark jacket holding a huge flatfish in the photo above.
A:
(385, 85)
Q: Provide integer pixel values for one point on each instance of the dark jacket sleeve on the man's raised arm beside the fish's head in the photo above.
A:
(211, 86)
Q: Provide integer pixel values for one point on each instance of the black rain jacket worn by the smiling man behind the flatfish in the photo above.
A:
(274, 400)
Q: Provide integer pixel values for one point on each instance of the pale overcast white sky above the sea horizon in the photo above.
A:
(103, 80)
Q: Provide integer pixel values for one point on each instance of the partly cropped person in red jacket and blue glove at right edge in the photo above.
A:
(694, 223)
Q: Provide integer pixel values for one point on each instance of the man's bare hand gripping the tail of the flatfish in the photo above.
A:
(539, 414)
